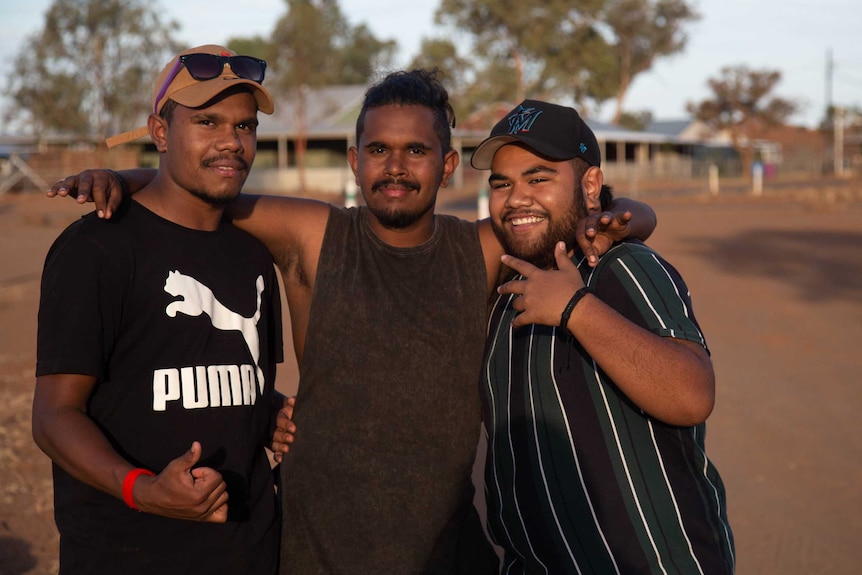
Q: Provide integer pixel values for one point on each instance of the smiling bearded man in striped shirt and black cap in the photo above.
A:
(594, 403)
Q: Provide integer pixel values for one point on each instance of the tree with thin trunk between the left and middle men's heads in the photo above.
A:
(315, 46)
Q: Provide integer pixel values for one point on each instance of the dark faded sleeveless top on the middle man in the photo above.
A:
(388, 412)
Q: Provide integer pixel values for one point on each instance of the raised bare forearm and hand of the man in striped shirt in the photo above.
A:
(671, 379)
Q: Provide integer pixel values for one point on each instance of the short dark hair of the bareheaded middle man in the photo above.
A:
(417, 87)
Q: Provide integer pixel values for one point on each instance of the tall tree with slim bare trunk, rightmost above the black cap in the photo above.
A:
(642, 31)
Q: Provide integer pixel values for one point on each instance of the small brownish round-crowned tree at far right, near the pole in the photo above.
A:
(743, 105)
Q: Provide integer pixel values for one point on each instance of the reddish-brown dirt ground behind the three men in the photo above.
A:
(777, 287)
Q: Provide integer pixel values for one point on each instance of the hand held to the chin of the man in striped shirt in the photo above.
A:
(544, 293)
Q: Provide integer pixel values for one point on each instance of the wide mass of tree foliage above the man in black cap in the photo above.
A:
(585, 51)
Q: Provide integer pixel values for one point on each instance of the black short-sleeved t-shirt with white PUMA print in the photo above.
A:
(182, 329)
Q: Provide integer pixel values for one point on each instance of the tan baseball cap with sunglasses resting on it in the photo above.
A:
(177, 84)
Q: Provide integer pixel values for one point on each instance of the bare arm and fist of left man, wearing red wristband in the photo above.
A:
(64, 431)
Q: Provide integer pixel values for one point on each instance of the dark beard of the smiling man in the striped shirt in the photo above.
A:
(539, 251)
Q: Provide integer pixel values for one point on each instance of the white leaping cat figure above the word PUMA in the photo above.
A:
(199, 299)
